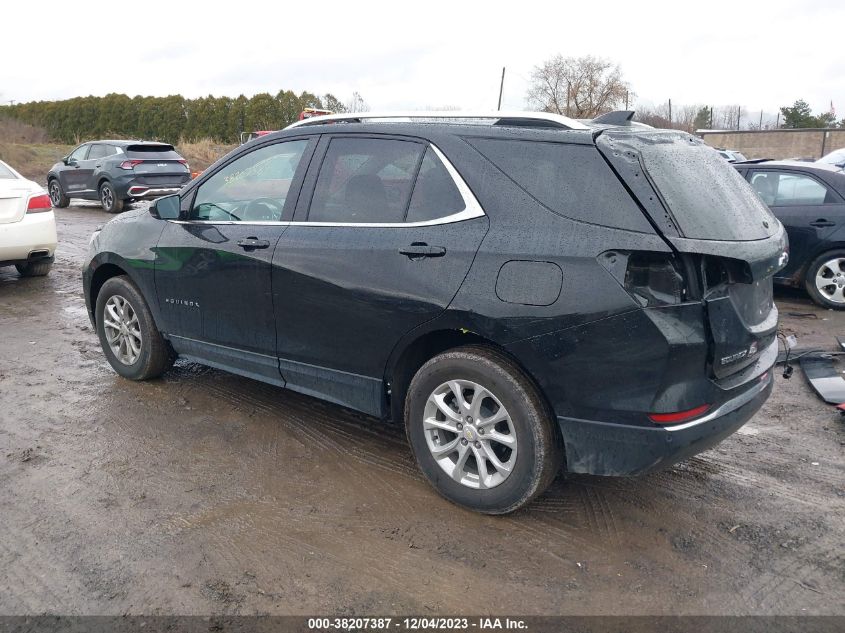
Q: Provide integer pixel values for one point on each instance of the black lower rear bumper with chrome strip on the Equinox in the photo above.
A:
(603, 448)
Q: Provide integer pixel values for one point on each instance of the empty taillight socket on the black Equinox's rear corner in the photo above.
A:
(654, 279)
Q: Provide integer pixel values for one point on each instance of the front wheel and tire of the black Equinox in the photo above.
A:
(154, 355)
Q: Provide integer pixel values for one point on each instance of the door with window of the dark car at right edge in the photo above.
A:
(809, 209)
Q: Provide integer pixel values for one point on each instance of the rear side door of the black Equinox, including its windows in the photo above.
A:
(384, 235)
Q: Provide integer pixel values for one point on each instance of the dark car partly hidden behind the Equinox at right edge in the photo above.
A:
(809, 199)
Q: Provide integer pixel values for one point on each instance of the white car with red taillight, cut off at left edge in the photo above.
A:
(27, 224)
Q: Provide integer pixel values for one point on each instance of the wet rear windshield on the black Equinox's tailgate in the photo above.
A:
(707, 198)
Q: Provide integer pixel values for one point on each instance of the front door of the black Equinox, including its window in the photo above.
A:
(212, 268)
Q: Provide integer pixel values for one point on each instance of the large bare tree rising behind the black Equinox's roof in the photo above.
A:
(580, 87)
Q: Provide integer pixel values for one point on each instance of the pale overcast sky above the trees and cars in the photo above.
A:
(759, 54)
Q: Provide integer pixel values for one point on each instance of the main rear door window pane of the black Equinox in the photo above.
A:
(365, 180)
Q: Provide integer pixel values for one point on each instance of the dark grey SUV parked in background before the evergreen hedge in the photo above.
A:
(115, 172)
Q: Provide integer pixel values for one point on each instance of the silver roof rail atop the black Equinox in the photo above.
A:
(515, 118)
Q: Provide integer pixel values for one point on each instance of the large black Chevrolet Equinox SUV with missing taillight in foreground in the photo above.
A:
(521, 290)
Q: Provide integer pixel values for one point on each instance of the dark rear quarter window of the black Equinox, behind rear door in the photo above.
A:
(571, 180)
